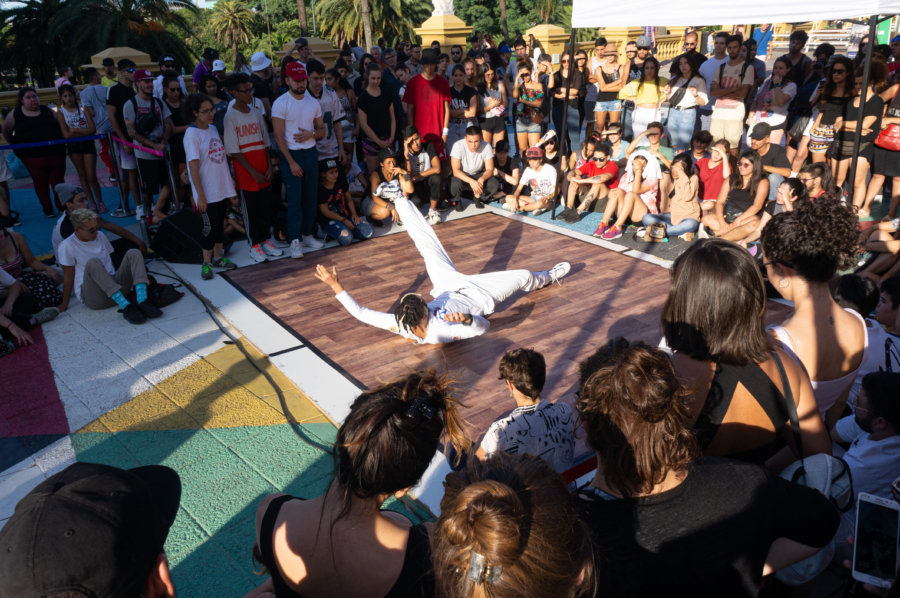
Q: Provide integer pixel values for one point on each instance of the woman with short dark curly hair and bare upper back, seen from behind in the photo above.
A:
(803, 250)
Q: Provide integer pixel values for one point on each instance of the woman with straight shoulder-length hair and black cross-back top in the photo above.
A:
(714, 323)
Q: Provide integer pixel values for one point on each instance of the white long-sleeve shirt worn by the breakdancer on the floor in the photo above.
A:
(439, 331)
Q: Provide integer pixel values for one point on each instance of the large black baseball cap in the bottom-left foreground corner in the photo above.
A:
(90, 528)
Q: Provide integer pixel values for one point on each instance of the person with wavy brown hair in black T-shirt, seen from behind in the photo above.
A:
(666, 521)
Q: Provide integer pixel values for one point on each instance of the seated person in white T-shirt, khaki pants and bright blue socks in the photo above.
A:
(88, 272)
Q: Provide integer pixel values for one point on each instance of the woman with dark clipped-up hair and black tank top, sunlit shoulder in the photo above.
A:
(342, 543)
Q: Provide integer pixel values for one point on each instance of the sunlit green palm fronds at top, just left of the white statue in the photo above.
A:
(343, 20)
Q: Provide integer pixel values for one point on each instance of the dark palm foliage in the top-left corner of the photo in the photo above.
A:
(27, 40)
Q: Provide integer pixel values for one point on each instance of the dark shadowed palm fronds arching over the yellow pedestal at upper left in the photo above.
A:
(136, 23)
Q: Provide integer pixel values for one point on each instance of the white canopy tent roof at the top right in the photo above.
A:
(590, 13)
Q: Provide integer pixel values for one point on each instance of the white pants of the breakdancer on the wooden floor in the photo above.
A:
(484, 290)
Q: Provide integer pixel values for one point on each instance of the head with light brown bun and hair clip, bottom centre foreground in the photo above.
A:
(509, 527)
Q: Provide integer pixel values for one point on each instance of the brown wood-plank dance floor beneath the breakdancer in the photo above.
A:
(605, 295)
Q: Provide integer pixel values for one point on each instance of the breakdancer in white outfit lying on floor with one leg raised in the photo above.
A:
(460, 300)
